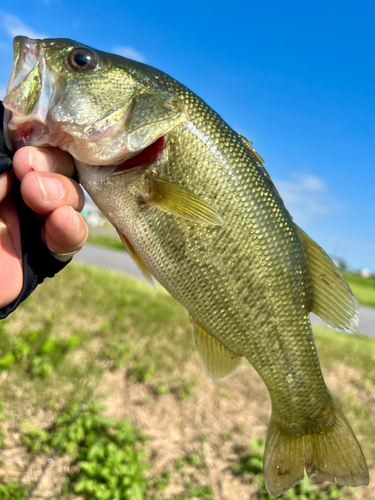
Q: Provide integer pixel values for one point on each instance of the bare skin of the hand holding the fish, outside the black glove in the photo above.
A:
(47, 188)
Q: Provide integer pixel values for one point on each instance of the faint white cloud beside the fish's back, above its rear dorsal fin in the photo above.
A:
(306, 197)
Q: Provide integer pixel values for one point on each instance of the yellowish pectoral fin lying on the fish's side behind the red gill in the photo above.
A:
(178, 201)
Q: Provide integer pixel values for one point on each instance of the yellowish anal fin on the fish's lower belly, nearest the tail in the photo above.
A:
(218, 361)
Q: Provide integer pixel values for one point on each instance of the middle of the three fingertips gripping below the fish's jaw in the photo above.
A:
(45, 192)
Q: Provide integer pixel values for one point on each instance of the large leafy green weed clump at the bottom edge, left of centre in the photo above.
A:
(109, 457)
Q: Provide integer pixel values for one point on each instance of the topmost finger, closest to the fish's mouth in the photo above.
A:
(29, 159)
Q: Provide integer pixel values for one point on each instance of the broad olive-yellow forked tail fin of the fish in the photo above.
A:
(328, 454)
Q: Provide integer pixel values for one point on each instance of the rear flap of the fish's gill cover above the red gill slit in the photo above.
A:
(153, 115)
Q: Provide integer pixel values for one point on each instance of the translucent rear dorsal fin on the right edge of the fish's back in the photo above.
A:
(333, 300)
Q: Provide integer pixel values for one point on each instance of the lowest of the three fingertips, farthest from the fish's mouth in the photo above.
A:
(65, 231)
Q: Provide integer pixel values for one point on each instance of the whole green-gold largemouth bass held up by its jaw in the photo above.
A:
(197, 211)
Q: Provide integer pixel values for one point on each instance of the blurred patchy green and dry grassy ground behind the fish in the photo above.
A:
(91, 336)
